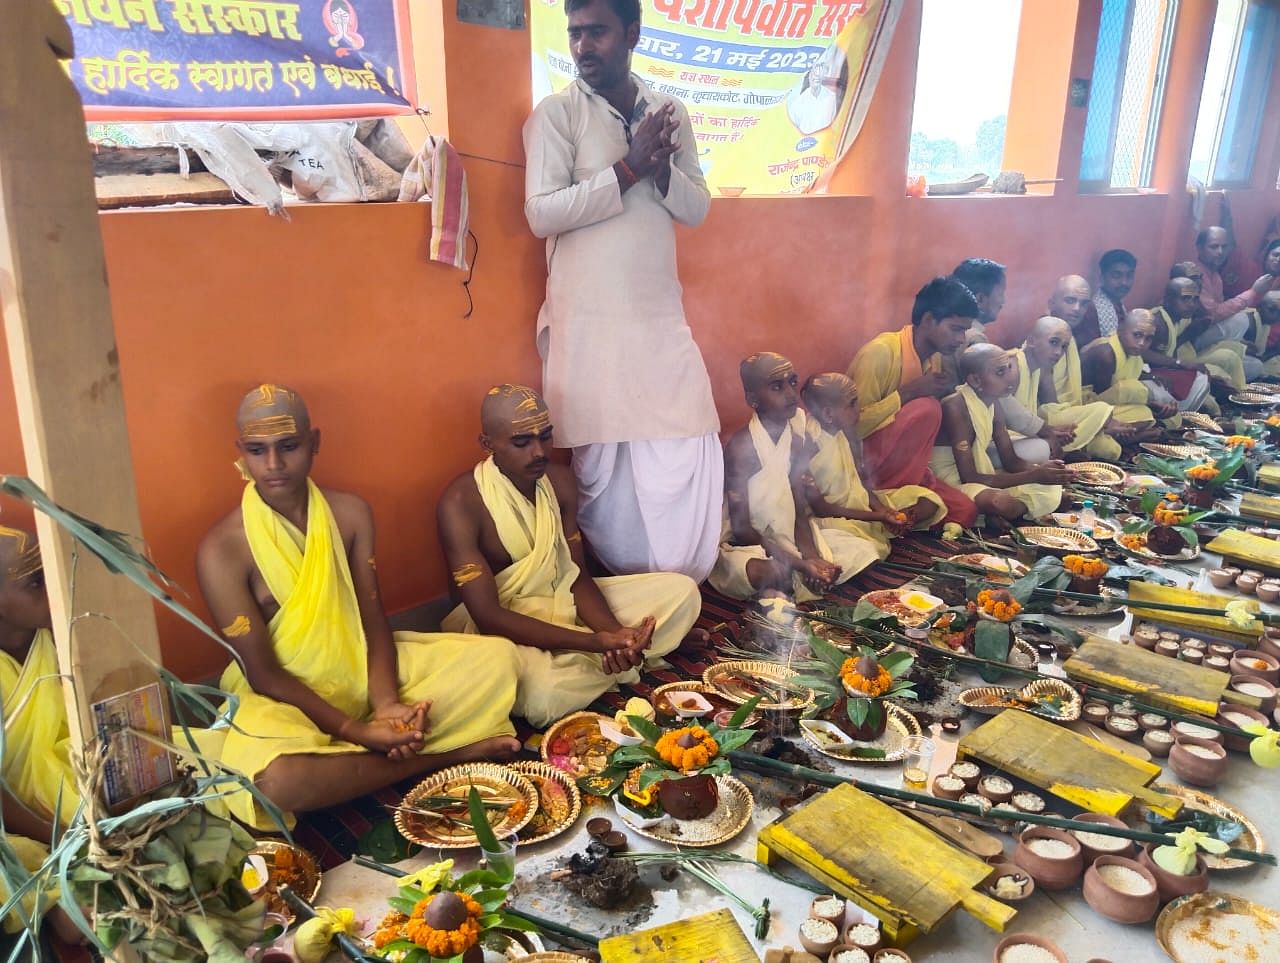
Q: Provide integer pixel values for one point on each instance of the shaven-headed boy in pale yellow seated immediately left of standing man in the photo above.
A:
(514, 547)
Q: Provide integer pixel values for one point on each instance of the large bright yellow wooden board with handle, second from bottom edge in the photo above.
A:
(912, 880)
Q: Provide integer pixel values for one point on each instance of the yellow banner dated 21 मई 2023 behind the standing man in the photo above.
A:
(776, 90)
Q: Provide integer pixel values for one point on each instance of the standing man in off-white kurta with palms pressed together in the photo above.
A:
(611, 167)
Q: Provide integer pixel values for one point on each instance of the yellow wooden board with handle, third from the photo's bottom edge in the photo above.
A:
(1068, 765)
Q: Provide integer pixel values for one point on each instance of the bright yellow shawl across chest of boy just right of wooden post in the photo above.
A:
(317, 635)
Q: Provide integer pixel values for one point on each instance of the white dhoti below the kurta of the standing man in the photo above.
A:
(652, 506)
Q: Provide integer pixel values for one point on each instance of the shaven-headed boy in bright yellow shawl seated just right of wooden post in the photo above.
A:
(332, 705)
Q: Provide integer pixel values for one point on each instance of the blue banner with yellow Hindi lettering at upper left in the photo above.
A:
(241, 60)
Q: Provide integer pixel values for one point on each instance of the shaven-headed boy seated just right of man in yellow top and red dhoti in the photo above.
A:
(972, 421)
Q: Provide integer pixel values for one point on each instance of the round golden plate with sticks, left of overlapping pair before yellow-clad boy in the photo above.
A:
(435, 813)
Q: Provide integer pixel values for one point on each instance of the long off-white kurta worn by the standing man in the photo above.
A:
(620, 363)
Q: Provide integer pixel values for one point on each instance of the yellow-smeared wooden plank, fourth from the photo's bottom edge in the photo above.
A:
(1168, 683)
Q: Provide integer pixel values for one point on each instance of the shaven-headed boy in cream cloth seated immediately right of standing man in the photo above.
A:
(772, 544)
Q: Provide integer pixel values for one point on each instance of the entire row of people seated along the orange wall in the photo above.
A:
(931, 423)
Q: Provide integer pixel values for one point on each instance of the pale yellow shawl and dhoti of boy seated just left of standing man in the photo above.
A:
(540, 585)
